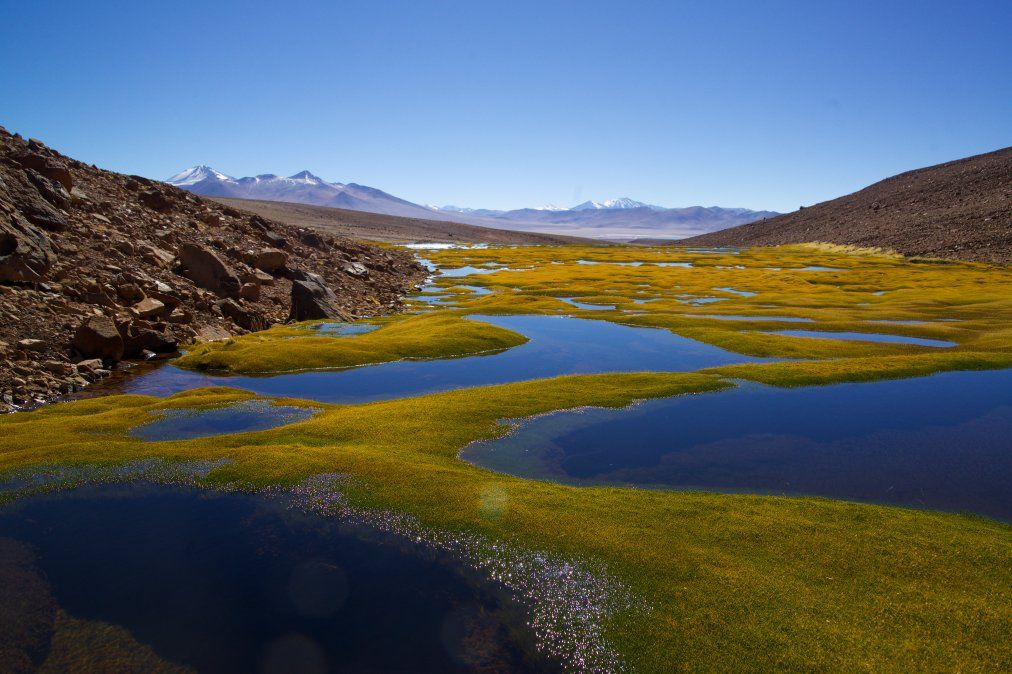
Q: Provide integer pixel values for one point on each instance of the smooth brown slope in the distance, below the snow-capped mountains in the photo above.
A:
(391, 229)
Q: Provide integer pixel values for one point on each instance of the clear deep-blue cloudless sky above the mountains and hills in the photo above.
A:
(508, 105)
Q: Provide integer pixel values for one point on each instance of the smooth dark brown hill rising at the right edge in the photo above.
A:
(961, 210)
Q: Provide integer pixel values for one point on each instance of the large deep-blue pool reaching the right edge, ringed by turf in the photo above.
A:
(940, 442)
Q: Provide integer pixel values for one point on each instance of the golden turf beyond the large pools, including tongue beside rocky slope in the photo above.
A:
(969, 304)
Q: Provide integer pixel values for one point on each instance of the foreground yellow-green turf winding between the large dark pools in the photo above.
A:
(735, 582)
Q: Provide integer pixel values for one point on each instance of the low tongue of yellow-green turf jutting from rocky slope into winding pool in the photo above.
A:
(300, 347)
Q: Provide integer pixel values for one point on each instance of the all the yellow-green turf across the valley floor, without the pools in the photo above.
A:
(735, 582)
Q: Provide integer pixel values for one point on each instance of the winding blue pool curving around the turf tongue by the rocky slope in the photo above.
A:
(559, 346)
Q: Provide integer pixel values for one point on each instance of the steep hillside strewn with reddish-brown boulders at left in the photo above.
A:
(99, 268)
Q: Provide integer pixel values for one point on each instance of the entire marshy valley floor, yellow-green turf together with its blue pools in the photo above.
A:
(684, 479)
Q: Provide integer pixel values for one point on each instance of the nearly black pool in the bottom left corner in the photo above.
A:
(240, 583)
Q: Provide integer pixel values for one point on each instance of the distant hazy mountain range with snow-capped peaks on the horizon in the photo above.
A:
(614, 219)
